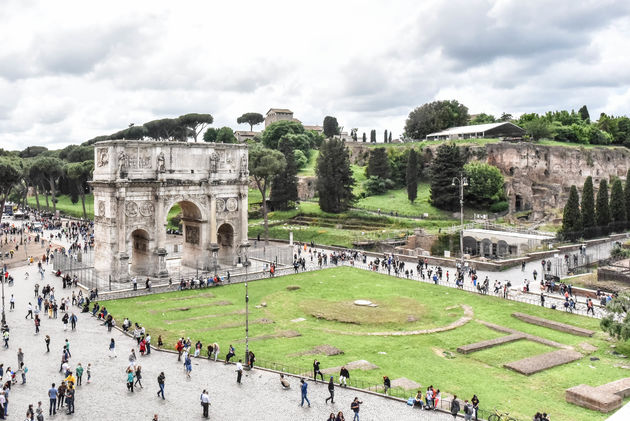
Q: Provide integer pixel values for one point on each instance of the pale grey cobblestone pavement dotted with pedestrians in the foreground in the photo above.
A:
(260, 397)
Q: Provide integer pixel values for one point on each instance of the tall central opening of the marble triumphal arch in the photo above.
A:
(185, 236)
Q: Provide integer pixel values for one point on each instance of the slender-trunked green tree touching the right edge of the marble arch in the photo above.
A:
(264, 165)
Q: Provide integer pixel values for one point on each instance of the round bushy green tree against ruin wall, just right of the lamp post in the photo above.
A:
(485, 183)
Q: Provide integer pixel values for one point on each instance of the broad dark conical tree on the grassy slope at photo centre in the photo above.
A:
(334, 176)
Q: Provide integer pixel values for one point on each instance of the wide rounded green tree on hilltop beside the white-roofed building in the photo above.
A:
(435, 116)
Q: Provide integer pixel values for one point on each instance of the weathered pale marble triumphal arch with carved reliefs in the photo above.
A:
(135, 184)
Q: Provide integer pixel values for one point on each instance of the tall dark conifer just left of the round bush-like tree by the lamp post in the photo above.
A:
(447, 164)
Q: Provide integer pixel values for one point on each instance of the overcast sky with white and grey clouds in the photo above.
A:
(70, 70)
